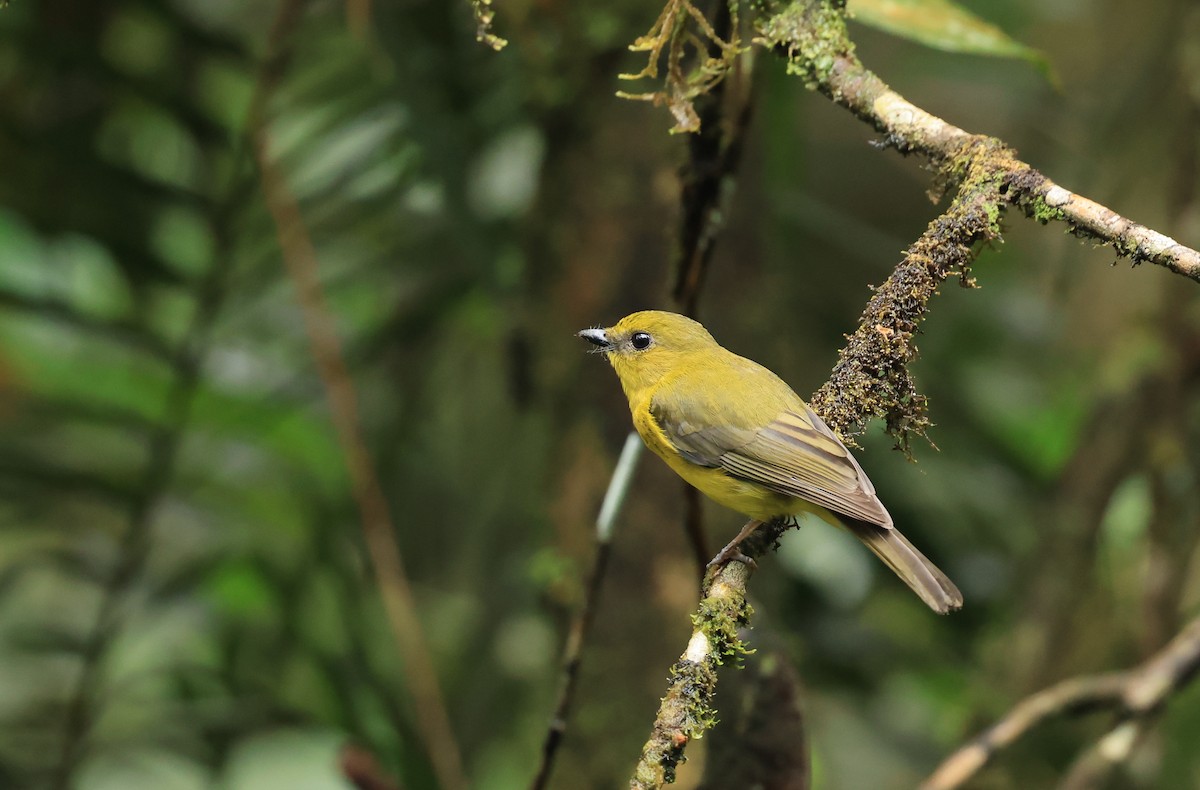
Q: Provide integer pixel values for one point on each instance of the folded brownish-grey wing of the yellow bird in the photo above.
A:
(796, 456)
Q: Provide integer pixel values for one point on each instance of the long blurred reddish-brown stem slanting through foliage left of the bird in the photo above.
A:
(301, 260)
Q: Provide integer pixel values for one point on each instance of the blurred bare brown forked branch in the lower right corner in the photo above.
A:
(1133, 696)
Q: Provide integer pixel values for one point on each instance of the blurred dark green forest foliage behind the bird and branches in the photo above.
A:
(185, 596)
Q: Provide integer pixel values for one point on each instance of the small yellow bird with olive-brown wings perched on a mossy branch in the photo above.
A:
(736, 432)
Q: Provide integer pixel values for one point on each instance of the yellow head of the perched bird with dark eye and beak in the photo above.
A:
(646, 346)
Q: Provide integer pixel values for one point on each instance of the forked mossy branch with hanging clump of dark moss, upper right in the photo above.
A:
(872, 378)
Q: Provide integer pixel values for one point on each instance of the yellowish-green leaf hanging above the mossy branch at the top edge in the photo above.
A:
(945, 26)
